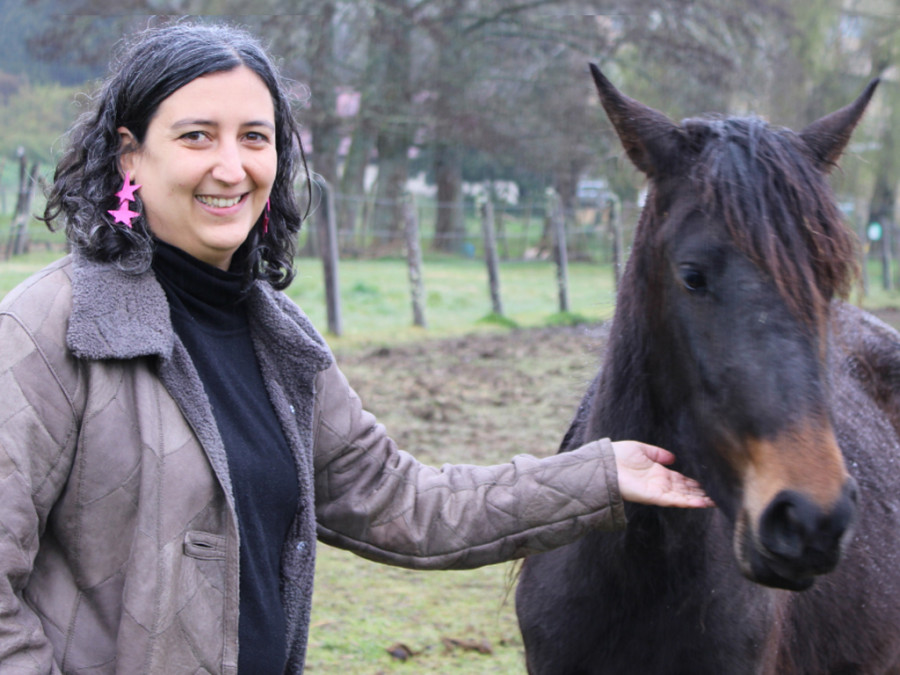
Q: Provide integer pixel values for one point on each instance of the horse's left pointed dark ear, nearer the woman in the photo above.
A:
(652, 140)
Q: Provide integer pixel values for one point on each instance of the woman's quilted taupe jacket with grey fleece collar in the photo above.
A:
(118, 536)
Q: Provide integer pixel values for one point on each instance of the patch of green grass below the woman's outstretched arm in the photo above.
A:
(354, 626)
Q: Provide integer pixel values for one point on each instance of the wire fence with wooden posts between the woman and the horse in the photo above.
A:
(492, 231)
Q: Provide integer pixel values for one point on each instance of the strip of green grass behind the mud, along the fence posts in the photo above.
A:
(376, 302)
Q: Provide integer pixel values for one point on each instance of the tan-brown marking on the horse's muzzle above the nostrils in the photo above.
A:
(806, 460)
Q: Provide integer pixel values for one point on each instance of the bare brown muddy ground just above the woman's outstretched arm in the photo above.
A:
(483, 398)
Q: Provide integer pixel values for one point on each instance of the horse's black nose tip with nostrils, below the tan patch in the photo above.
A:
(797, 539)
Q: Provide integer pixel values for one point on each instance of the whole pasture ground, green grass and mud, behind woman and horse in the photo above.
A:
(462, 391)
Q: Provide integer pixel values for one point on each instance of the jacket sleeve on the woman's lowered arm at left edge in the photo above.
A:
(38, 432)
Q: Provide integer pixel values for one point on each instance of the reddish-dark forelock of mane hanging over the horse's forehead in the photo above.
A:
(763, 182)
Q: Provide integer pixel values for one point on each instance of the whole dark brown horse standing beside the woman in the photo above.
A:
(731, 348)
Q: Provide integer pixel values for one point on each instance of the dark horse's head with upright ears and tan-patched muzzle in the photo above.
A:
(739, 251)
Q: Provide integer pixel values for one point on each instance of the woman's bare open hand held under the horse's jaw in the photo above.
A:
(644, 479)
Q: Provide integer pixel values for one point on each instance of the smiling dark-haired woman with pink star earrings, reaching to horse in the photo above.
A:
(177, 435)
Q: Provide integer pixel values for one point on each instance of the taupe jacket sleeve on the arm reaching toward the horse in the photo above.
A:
(379, 502)
